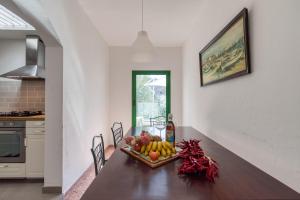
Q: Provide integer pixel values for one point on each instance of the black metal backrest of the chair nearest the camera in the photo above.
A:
(98, 152)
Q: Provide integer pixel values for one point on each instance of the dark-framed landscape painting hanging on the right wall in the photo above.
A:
(227, 55)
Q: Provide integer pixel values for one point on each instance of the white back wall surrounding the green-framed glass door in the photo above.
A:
(167, 58)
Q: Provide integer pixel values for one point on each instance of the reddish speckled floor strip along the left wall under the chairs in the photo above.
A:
(83, 183)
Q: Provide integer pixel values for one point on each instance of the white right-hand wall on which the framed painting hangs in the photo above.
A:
(255, 116)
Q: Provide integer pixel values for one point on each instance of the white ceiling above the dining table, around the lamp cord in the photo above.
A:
(168, 22)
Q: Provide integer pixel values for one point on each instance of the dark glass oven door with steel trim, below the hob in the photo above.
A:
(12, 148)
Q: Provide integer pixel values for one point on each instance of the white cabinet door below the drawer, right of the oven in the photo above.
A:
(35, 156)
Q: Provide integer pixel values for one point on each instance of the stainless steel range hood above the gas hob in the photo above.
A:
(34, 68)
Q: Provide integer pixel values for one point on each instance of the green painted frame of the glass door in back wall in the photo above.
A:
(149, 72)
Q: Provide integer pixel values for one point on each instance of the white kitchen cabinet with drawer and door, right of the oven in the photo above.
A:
(35, 140)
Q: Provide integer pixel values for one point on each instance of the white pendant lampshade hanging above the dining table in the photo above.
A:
(142, 48)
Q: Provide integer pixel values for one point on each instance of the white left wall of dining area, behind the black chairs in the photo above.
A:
(85, 85)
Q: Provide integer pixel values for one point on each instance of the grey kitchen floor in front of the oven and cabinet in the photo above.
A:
(24, 191)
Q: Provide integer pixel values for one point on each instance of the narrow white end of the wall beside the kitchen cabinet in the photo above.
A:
(54, 125)
